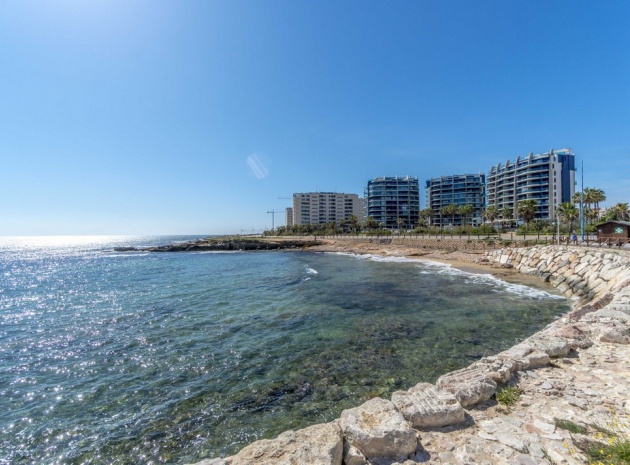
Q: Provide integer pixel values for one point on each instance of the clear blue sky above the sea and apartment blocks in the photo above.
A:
(197, 117)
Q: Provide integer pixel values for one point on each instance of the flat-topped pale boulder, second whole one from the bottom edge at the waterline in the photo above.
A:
(425, 406)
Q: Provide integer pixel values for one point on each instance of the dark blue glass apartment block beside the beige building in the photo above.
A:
(389, 198)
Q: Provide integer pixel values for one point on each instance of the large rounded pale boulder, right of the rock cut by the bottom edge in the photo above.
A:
(377, 429)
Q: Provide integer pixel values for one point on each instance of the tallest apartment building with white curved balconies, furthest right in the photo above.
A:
(548, 178)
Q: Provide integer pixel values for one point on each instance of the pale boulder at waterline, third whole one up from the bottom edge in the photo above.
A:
(469, 385)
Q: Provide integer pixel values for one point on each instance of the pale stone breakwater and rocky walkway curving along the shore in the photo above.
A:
(574, 372)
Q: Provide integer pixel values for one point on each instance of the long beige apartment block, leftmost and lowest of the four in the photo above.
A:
(325, 207)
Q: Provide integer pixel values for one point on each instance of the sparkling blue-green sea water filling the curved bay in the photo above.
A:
(111, 357)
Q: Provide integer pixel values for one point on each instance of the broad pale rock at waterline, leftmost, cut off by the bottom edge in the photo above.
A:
(316, 445)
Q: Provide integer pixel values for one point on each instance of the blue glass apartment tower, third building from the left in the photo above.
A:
(459, 190)
